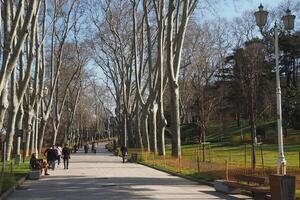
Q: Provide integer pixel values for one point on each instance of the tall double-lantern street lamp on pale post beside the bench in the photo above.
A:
(288, 21)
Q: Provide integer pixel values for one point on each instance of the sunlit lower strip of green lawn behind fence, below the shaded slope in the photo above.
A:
(235, 153)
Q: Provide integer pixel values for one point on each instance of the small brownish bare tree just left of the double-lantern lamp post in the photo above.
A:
(250, 68)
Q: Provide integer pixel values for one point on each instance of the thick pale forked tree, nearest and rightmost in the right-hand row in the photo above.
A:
(178, 16)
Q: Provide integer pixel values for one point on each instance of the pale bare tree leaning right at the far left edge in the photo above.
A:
(15, 32)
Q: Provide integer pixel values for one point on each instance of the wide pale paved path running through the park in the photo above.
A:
(103, 176)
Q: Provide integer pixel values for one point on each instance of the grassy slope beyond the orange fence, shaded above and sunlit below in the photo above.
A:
(225, 144)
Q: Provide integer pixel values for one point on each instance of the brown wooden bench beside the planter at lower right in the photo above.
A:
(253, 184)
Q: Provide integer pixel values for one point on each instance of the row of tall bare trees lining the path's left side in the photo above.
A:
(42, 73)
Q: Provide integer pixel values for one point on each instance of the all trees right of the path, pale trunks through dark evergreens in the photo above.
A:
(148, 51)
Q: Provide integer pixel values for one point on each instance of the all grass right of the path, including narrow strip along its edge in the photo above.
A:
(224, 142)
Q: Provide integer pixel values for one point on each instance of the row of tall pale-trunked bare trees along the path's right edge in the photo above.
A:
(138, 46)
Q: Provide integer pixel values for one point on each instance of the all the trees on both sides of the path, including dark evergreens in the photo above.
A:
(161, 66)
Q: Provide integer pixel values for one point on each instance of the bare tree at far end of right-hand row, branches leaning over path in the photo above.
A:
(113, 55)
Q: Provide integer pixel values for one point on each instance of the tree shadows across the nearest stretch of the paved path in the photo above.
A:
(80, 187)
